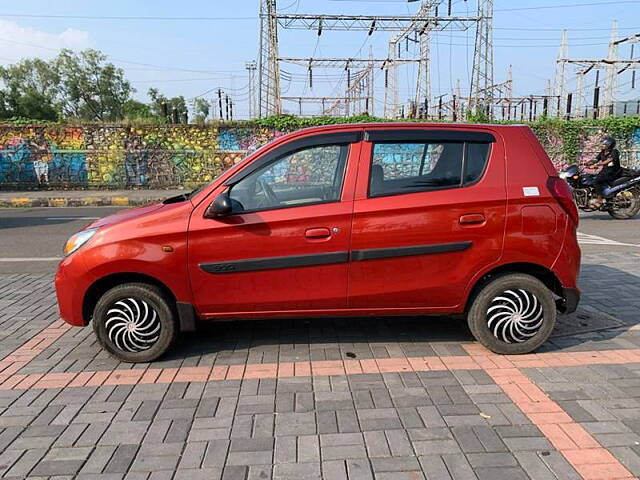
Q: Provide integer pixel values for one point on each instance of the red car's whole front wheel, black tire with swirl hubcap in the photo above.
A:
(148, 310)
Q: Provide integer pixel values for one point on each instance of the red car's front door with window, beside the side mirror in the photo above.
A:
(285, 247)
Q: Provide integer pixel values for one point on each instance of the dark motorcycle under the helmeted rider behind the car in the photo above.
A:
(621, 197)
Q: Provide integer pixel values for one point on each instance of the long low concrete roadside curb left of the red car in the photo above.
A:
(90, 201)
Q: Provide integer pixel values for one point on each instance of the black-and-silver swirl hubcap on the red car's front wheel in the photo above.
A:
(132, 325)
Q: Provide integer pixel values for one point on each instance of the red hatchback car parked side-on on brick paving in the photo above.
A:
(348, 220)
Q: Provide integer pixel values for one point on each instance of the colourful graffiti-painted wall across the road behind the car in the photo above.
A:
(171, 156)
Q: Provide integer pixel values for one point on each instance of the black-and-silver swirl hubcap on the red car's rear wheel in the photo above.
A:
(515, 316)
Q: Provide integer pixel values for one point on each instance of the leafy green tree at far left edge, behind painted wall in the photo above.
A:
(31, 90)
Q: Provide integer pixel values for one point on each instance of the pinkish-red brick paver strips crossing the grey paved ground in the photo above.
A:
(591, 460)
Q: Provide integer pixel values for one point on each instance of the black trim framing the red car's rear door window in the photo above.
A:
(463, 183)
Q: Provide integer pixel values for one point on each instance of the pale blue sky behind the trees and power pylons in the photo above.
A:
(202, 45)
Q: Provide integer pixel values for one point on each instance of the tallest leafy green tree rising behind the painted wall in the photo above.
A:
(91, 89)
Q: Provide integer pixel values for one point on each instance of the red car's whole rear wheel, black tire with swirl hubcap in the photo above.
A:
(517, 299)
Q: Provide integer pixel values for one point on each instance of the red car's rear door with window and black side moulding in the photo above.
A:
(429, 213)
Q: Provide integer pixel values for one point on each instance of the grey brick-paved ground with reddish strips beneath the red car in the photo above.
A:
(333, 399)
